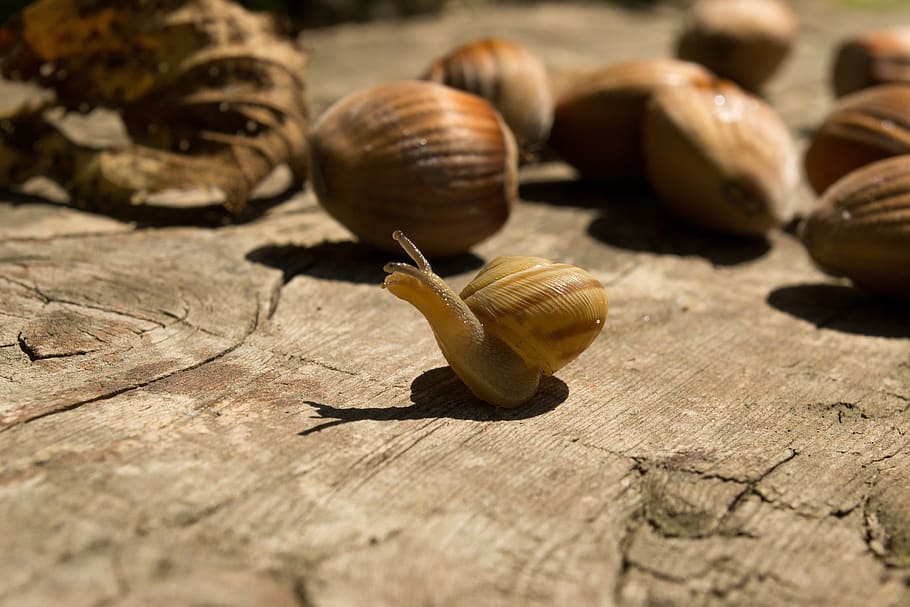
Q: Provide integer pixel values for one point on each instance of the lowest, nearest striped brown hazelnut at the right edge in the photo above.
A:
(861, 227)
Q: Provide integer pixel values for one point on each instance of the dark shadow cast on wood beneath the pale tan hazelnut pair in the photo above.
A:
(631, 218)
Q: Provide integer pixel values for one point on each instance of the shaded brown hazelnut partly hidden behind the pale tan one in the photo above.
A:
(597, 122)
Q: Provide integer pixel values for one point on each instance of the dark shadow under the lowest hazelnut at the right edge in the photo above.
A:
(845, 309)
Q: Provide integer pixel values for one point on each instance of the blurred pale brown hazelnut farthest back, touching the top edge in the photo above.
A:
(743, 40)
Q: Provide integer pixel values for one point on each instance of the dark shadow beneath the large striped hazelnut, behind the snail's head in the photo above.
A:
(346, 261)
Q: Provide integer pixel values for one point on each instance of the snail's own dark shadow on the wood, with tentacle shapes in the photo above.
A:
(438, 394)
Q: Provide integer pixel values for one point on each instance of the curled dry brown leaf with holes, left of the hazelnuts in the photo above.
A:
(211, 95)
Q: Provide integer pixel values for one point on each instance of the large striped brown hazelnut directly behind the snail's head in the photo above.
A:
(417, 155)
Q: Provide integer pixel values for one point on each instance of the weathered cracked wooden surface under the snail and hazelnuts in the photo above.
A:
(239, 415)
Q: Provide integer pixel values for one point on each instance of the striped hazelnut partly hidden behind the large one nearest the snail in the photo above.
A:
(507, 75)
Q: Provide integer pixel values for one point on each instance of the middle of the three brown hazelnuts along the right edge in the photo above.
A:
(863, 127)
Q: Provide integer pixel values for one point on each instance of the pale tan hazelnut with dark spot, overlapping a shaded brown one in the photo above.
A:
(721, 158)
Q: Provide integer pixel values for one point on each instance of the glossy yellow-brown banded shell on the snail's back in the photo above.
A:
(546, 312)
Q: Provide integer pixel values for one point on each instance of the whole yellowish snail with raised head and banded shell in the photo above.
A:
(520, 318)
